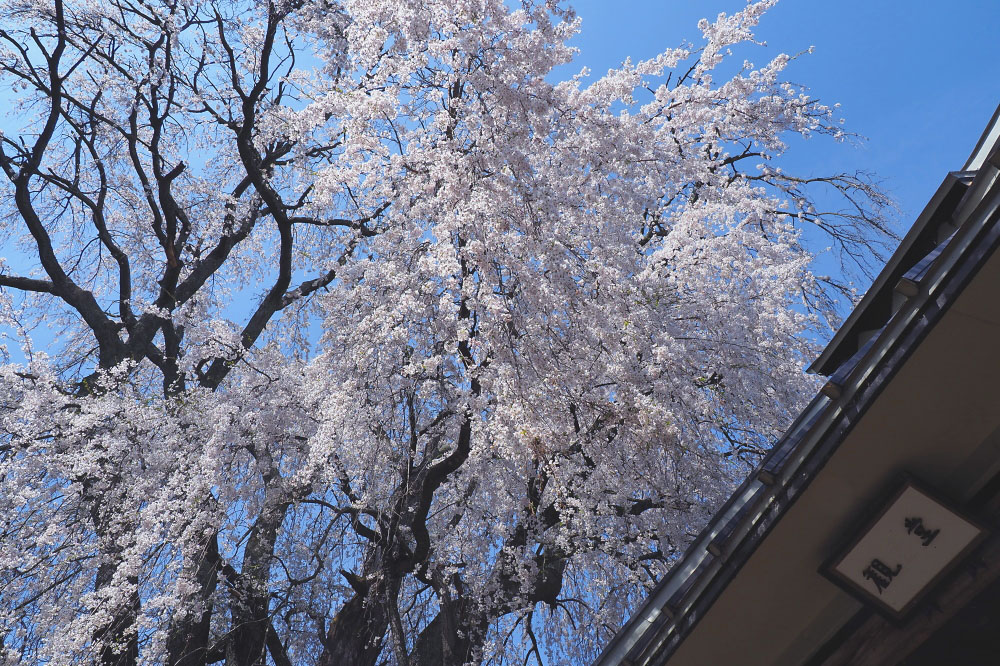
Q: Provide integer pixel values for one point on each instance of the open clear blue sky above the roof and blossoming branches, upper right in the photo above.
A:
(919, 79)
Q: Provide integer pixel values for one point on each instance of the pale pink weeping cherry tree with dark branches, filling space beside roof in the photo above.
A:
(369, 343)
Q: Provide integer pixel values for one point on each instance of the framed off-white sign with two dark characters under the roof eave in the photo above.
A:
(907, 547)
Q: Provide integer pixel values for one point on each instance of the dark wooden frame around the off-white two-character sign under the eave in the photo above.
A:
(864, 525)
